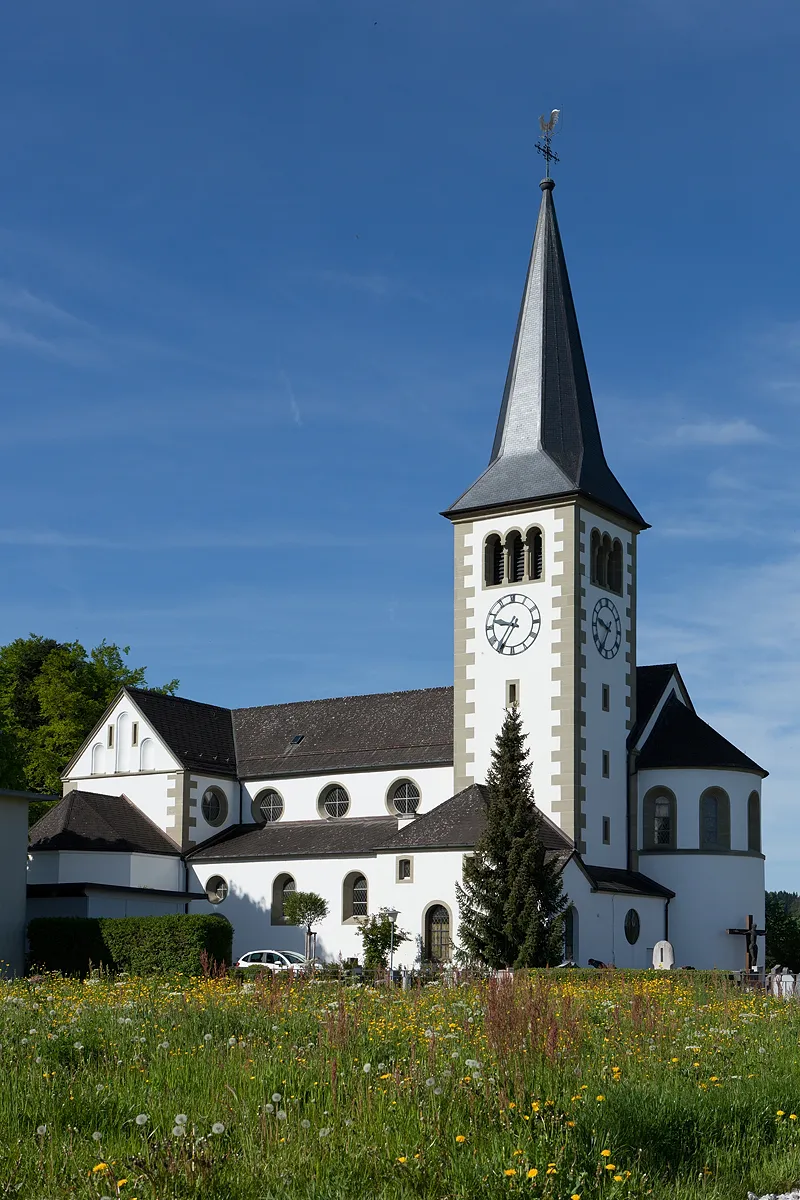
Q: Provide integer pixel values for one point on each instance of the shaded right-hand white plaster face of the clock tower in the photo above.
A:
(606, 731)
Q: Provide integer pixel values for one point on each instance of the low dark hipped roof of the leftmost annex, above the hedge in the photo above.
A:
(92, 821)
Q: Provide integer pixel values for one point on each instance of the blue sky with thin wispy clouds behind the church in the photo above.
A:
(260, 271)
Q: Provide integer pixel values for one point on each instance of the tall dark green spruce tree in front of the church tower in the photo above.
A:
(512, 901)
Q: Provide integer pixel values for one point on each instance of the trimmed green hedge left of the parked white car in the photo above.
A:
(137, 945)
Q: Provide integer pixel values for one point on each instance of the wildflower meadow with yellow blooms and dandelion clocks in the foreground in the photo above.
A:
(556, 1085)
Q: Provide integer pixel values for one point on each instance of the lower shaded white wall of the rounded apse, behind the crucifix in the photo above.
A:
(713, 893)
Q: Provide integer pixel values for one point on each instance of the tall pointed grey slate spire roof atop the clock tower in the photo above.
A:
(548, 442)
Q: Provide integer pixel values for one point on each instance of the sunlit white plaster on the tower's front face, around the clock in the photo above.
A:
(533, 669)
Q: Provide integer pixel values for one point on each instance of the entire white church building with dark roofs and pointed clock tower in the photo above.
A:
(375, 802)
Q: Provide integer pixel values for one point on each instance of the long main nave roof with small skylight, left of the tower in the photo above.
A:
(396, 729)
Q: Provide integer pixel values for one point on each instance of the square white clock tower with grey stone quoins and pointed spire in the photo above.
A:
(545, 587)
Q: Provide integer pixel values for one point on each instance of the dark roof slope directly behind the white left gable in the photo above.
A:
(201, 736)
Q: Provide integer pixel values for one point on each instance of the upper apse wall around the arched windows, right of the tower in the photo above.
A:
(688, 787)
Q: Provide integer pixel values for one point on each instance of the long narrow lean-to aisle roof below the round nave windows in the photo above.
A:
(299, 839)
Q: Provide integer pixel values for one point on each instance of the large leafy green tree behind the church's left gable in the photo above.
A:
(52, 695)
